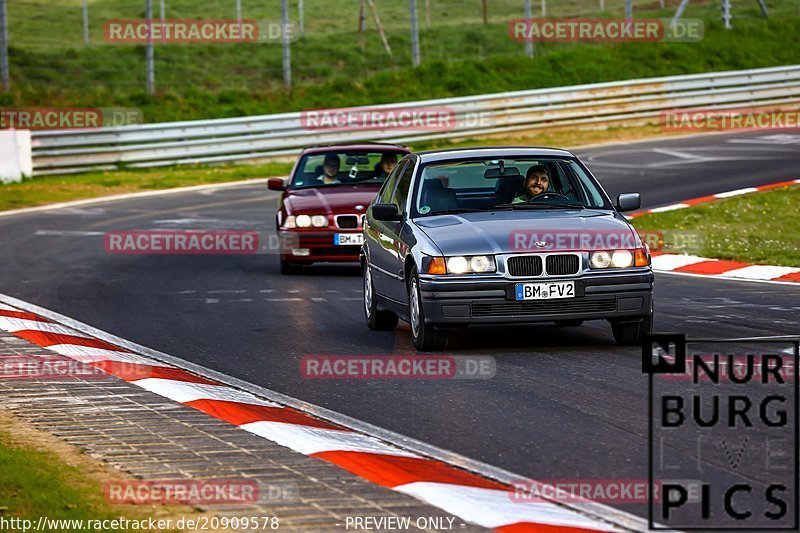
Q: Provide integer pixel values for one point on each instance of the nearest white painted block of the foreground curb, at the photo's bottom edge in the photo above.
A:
(495, 508)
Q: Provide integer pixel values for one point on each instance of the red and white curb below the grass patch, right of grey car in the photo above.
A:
(692, 264)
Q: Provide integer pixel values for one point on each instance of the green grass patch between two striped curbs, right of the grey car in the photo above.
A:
(761, 228)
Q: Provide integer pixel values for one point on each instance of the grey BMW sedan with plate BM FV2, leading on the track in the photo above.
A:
(502, 236)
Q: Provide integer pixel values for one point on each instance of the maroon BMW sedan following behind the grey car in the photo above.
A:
(324, 201)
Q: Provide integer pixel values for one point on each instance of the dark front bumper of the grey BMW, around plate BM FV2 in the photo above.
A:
(491, 300)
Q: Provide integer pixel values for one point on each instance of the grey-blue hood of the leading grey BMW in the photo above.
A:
(496, 232)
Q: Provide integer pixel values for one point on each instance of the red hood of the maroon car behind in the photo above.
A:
(330, 200)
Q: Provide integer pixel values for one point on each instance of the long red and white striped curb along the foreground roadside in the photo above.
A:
(471, 497)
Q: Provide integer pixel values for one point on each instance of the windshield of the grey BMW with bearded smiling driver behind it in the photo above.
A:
(505, 184)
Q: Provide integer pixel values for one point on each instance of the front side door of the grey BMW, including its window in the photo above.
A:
(395, 246)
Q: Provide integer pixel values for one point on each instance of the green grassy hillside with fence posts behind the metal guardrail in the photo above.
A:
(335, 66)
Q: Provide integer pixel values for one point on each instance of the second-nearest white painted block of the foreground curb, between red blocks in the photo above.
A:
(310, 440)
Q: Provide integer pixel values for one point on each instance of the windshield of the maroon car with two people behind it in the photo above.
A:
(344, 167)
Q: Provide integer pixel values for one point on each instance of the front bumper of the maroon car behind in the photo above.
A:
(320, 246)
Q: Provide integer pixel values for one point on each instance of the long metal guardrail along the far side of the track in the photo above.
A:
(268, 136)
